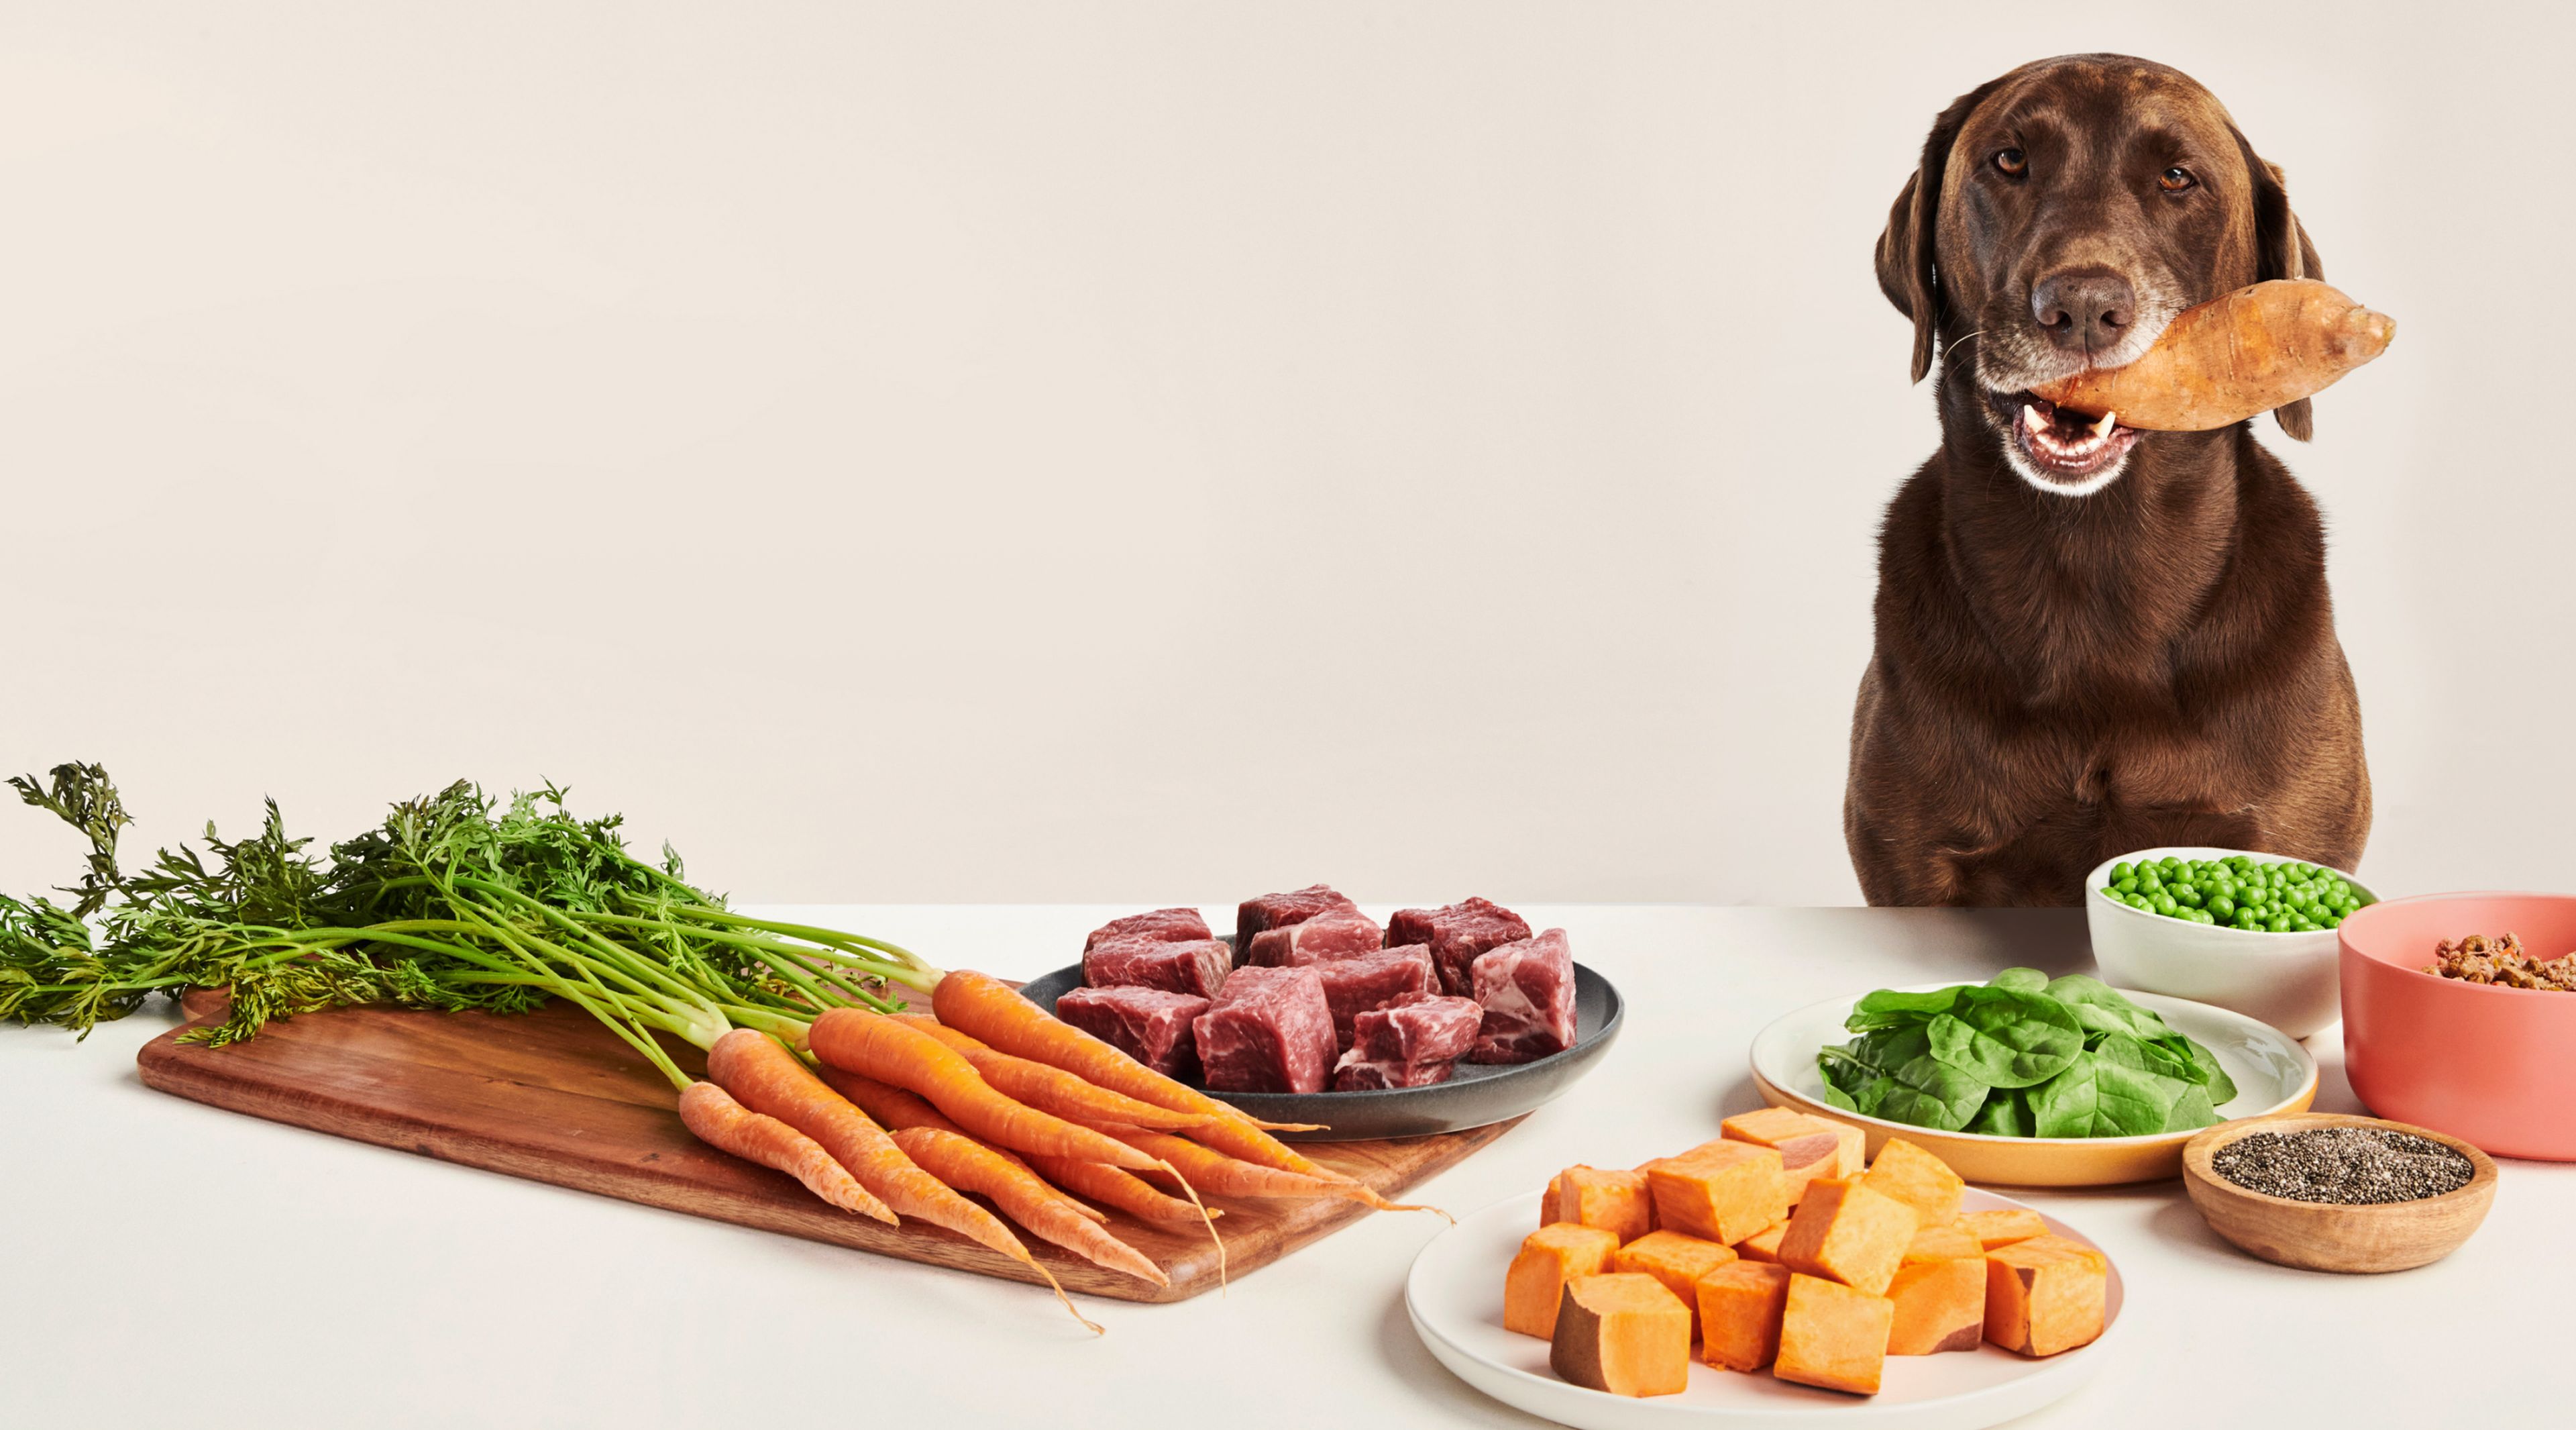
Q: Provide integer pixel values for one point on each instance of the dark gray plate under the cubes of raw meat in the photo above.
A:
(1475, 1096)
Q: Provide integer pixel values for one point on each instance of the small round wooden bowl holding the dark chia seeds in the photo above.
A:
(2312, 1235)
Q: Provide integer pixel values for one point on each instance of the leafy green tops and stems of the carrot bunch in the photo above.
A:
(455, 903)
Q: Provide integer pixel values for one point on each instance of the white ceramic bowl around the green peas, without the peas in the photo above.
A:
(2286, 980)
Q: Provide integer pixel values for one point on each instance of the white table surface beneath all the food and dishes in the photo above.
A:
(176, 1261)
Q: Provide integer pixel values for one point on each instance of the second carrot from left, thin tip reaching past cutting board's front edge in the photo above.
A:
(851, 1135)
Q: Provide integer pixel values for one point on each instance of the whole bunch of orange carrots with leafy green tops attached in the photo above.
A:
(813, 1060)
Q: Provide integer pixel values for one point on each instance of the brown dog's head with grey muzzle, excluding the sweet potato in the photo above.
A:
(2062, 218)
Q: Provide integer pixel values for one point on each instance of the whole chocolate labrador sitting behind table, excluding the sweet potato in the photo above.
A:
(2090, 640)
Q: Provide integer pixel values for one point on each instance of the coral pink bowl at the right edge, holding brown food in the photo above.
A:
(2490, 1065)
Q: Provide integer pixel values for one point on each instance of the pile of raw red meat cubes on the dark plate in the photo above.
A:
(1315, 993)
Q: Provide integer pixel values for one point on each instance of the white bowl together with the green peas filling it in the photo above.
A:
(2248, 931)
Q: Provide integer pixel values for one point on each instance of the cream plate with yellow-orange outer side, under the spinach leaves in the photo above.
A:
(2271, 1073)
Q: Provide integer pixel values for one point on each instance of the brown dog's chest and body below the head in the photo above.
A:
(2060, 676)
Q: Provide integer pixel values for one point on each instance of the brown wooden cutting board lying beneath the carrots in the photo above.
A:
(558, 1099)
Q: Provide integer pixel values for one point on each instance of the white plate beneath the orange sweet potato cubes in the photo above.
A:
(1457, 1302)
